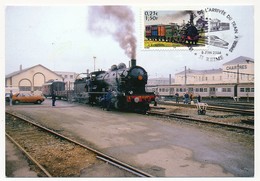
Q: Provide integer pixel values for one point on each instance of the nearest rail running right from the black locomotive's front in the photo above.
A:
(187, 118)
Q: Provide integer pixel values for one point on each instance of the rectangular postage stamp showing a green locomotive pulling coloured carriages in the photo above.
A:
(173, 29)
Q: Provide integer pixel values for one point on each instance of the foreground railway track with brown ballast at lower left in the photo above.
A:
(57, 155)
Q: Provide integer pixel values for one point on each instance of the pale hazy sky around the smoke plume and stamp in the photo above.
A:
(59, 38)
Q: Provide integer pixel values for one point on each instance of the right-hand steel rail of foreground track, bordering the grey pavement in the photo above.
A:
(123, 165)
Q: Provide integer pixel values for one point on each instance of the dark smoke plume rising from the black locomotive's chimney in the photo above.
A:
(117, 21)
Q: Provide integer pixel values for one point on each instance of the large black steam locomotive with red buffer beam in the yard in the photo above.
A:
(126, 86)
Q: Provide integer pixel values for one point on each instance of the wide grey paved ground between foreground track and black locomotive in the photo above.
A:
(162, 147)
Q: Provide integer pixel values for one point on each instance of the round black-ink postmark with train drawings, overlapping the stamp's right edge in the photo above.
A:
(221, 34)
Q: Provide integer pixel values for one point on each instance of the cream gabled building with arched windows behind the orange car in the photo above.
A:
(31, 79)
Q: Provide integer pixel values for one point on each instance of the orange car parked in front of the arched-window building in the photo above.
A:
(27, 98)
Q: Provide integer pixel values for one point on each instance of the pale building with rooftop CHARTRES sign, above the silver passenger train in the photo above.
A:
(239, 70)
